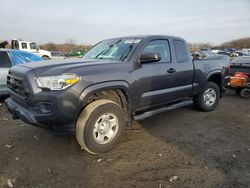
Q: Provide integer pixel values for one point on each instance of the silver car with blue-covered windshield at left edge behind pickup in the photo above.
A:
(9, 58)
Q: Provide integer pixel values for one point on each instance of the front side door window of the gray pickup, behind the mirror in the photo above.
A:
(161, 47)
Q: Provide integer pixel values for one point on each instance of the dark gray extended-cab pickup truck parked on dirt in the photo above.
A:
(117, 81)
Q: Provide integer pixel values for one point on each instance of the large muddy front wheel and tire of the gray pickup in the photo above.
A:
(100, 126)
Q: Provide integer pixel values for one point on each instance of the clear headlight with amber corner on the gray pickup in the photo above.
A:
(57, 82)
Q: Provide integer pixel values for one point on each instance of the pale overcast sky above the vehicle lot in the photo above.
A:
(88, 22)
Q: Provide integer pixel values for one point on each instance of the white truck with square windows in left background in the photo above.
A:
(30, 47)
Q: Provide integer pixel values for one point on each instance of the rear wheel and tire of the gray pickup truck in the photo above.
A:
(208, 99)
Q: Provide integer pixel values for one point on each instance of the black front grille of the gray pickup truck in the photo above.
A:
(16, 84)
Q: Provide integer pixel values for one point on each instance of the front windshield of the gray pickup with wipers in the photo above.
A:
(113, 49)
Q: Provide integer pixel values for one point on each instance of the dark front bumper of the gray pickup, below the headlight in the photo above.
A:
(61, 117)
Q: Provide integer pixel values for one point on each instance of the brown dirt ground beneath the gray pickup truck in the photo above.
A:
(199, 149)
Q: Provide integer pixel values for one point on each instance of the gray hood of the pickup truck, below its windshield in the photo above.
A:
(55, 67)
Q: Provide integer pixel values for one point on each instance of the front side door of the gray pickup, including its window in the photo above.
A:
(153, 79)
